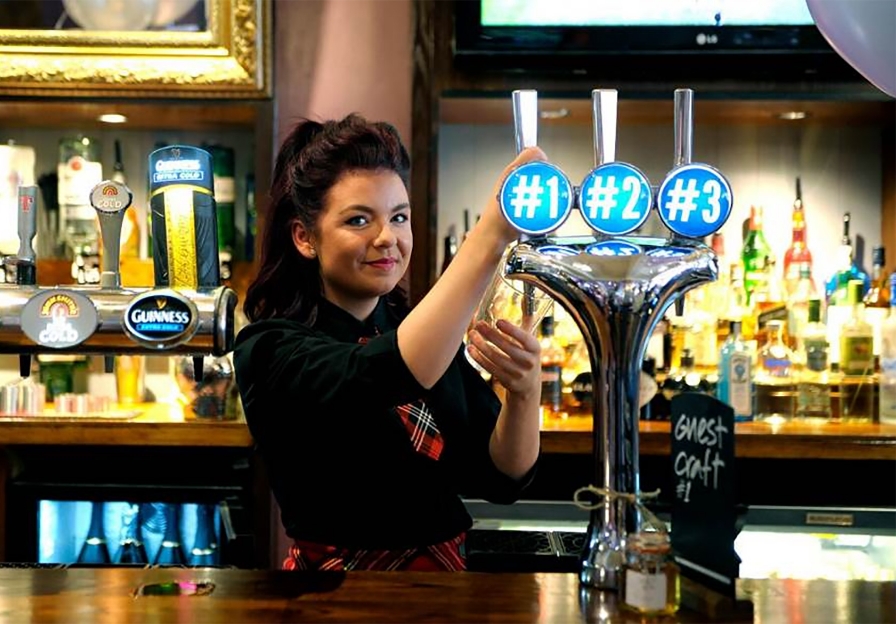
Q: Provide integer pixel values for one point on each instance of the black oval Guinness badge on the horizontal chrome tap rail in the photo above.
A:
(161, 319)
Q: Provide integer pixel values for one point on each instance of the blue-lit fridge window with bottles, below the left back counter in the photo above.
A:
(127, 533)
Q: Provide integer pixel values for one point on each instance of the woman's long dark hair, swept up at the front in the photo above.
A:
(311, 160)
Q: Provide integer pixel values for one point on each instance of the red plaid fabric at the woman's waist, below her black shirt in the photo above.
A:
(443, 557)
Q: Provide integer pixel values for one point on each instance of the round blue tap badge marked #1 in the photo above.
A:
(536, 198)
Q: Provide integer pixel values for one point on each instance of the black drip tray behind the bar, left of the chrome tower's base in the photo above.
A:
(523, 551)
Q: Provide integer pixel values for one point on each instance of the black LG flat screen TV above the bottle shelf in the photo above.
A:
(653, 40)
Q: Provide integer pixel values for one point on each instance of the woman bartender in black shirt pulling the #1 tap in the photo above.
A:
(370, 419)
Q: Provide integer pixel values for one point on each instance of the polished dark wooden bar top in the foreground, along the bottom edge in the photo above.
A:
(108, 595)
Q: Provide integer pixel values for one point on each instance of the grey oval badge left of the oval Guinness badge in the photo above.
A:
(59, 318)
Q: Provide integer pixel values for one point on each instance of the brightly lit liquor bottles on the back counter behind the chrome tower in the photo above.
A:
(773, 339)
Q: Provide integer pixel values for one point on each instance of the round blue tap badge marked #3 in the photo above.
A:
(695, 200)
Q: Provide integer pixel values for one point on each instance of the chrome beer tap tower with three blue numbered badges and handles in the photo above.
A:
(615, 285)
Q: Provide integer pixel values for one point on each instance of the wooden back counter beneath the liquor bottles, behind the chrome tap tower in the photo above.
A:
(785, 440)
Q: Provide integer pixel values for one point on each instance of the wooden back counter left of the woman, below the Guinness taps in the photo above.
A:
(157, 424)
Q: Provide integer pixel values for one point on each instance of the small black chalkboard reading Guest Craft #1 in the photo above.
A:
(704, 513)
